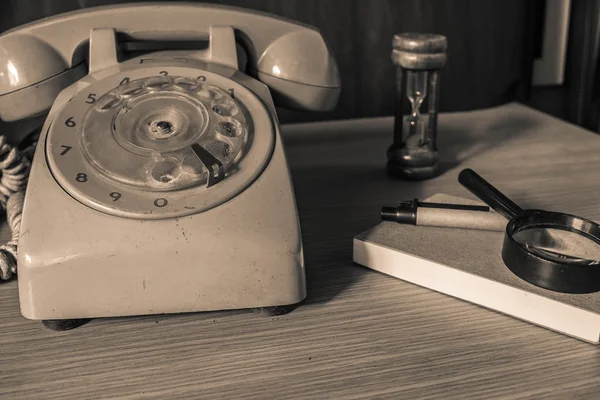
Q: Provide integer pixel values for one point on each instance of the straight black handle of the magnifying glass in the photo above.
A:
(488, 194)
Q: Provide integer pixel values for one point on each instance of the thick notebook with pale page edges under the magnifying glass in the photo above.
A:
(467, 264)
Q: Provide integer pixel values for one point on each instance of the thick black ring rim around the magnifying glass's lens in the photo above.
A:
(567, 277)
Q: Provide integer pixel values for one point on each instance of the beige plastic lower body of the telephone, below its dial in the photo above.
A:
(76, 262)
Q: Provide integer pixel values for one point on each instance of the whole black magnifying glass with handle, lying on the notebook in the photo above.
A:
(555, 251)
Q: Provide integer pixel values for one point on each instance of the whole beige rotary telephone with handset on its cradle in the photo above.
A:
(159, 182)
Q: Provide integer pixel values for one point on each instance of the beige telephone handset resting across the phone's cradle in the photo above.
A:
(42, 58)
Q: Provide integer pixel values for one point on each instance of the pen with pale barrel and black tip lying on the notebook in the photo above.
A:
(414, 212)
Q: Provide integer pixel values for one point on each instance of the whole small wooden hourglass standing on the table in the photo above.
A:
(418, 57)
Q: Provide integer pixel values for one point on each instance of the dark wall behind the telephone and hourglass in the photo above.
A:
(492, 44)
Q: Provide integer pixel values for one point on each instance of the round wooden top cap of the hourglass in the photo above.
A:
(419, 50)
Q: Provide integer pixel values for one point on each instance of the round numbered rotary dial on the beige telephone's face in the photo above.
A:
(149, 143)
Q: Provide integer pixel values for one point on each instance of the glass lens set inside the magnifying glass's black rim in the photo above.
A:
(559, 245)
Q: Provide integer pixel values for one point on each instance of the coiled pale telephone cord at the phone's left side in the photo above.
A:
(14, 167)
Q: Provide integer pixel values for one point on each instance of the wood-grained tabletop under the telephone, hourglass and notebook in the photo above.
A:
(359, 334)
